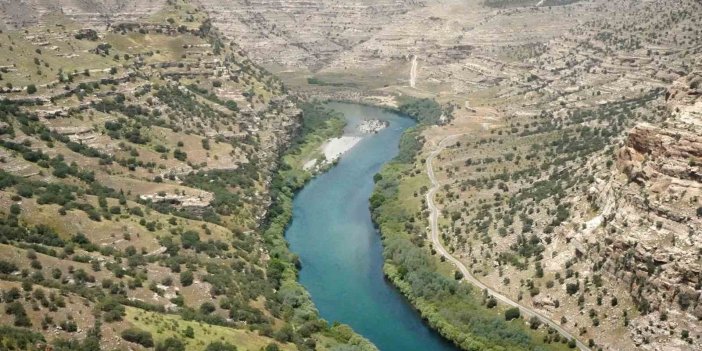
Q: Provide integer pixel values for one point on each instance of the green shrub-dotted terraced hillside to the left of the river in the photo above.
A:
(135, 179)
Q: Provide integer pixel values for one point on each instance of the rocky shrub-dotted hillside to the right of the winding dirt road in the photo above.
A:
(573, 187)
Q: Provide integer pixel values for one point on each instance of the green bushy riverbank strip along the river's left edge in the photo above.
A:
(319, 125)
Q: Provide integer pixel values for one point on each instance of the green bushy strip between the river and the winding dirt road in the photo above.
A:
(456, 310)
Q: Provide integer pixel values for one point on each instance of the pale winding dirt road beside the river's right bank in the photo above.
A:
(433, 223)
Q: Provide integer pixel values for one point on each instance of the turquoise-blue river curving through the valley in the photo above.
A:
(341, 251)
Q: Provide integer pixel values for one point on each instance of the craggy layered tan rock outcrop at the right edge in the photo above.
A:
(657, 216)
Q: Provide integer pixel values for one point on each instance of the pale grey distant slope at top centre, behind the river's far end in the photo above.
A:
(300, 34)
